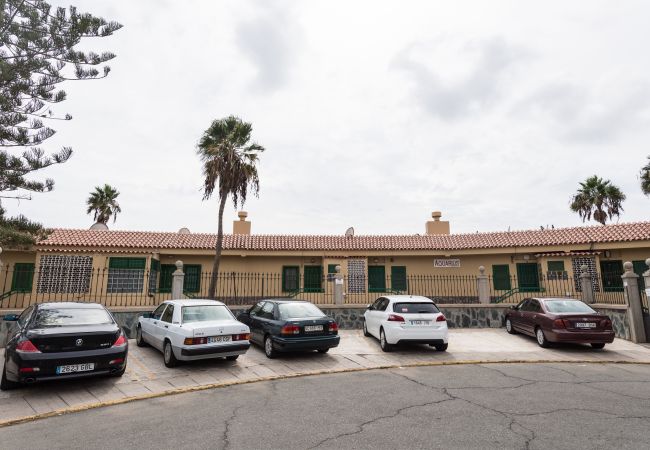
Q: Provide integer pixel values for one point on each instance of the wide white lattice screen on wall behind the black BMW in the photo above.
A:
(64, 274)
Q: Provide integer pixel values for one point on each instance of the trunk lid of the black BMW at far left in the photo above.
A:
(74, 338)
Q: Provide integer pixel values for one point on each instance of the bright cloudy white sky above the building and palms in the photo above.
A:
(373, 113)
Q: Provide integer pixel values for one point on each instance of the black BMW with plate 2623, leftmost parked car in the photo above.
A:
(63, 340)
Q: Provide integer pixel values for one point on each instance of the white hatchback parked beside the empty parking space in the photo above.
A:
(400, 319)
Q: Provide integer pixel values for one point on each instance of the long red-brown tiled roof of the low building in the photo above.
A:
(68, 240)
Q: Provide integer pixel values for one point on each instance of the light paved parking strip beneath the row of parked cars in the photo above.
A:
(147, 376)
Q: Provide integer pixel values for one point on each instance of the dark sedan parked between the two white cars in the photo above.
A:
(290, 325)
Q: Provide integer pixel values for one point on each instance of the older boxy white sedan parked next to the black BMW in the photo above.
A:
(186, 330)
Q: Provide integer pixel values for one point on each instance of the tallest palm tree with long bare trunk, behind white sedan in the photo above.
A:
(229, 166)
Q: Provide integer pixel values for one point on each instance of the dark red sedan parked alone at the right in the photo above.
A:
(560, 320)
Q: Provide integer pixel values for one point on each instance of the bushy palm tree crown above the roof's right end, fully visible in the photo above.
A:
(599, 198)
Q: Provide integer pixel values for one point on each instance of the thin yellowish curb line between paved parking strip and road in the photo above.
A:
(204, 387)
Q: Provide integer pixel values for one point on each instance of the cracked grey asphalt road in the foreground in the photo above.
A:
(473, 406)
